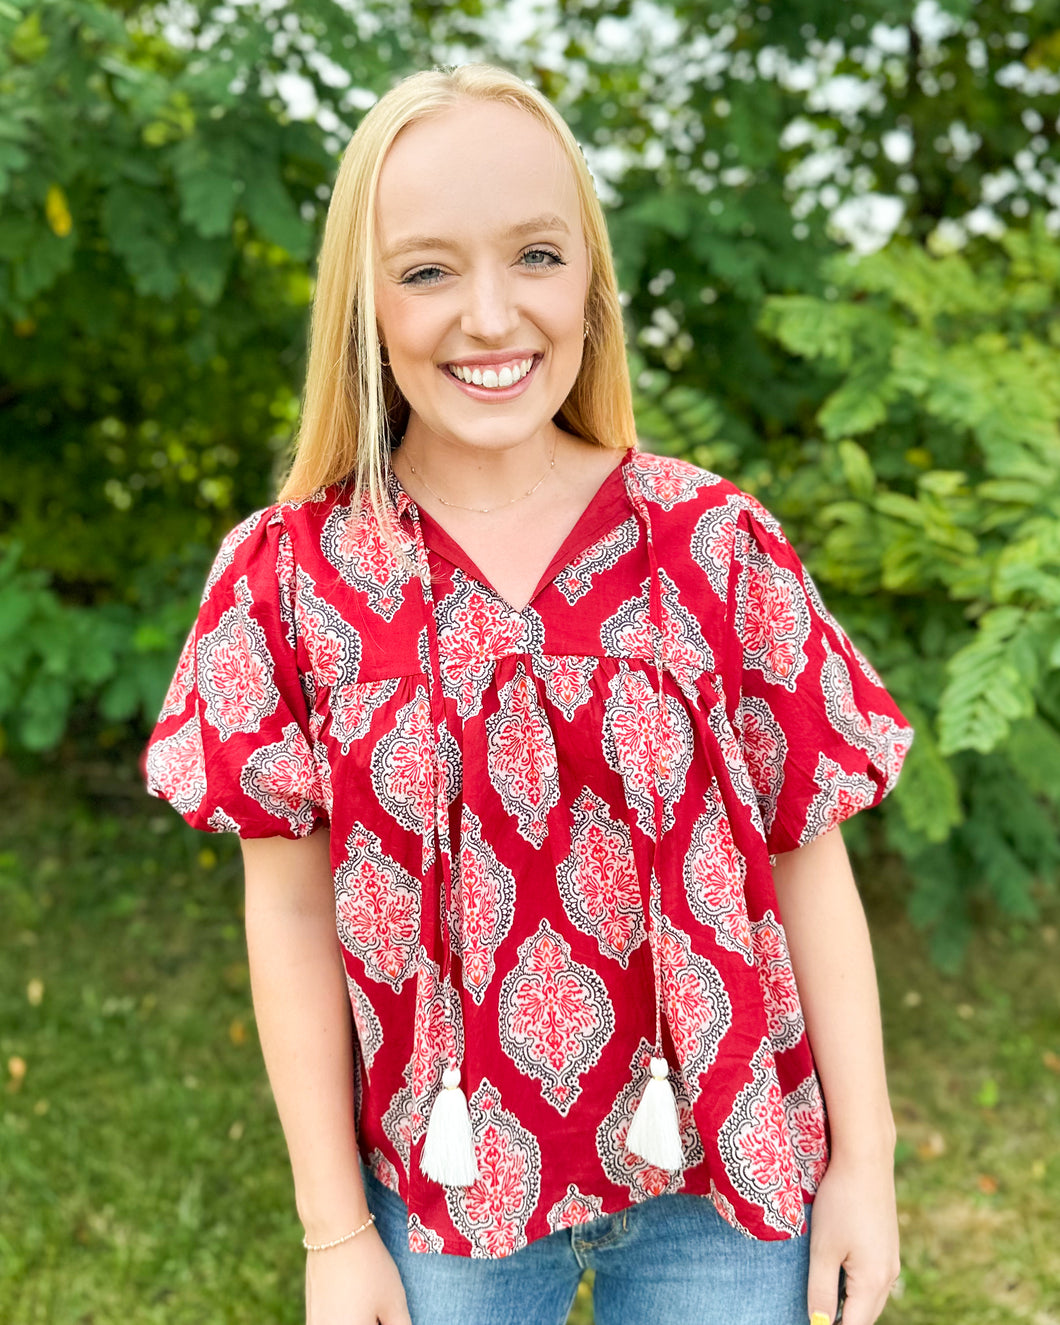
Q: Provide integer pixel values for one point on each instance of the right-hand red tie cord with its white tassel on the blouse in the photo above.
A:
(655, 1134)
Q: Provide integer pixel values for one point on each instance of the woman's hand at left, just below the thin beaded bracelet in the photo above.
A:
(356, 1285)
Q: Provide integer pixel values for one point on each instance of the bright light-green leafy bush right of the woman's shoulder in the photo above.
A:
(927, 498)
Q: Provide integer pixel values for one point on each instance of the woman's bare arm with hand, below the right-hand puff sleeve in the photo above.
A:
(855, 1221)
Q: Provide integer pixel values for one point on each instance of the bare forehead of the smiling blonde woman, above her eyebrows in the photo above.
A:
(476, 169)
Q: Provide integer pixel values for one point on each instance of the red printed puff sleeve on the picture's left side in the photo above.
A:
(235, 748)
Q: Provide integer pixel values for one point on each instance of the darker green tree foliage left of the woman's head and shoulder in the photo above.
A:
(157, 218)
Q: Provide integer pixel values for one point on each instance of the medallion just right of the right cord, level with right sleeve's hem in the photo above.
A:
(716, 878)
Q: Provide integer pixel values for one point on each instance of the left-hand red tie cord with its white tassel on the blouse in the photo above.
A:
(449, 1148)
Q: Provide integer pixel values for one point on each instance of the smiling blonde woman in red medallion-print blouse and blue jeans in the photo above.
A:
(532, 740)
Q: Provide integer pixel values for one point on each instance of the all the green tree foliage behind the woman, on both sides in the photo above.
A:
(161, 207)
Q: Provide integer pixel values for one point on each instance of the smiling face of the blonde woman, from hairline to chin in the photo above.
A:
(483, 275)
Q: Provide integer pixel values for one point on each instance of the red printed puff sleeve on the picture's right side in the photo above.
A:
(821, 735)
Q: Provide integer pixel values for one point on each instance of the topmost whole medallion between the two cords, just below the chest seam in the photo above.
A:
(523, 761)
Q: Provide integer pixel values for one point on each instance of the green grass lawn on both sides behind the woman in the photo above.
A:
(142, 1171)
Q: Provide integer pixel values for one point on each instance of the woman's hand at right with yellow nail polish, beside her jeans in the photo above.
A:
(854, 1225)
